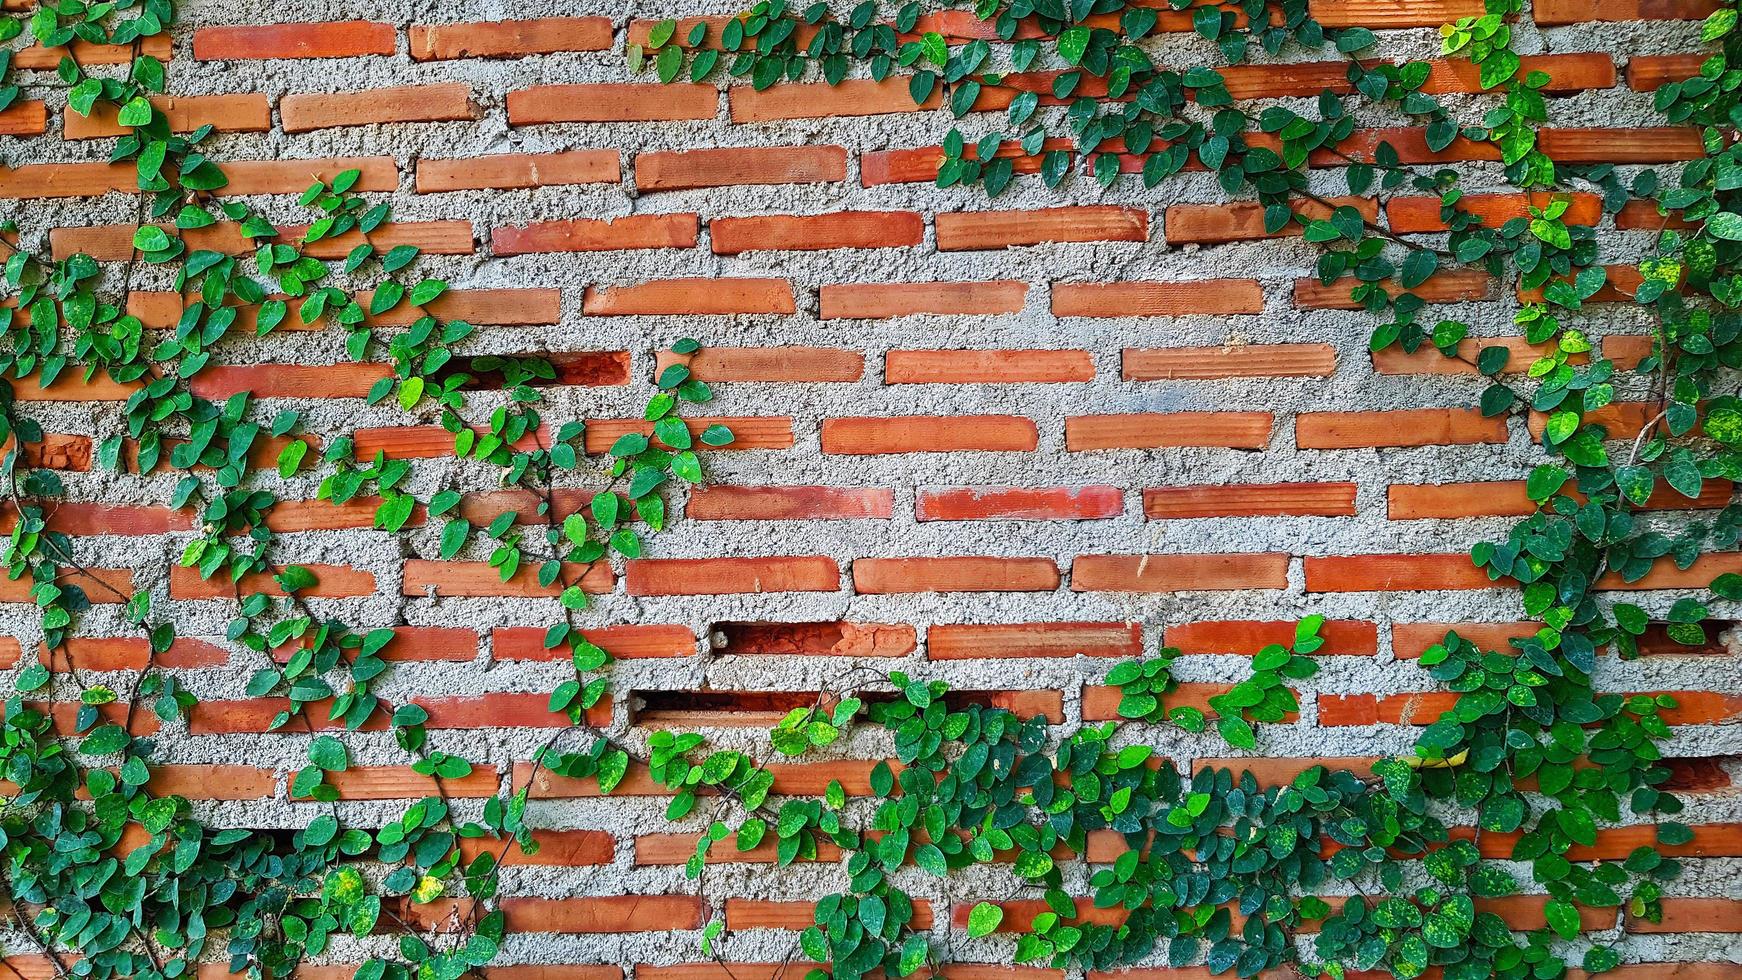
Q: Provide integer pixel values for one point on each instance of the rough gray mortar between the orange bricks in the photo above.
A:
(1274, 264)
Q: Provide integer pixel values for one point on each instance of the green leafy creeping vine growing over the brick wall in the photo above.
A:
(111, 880)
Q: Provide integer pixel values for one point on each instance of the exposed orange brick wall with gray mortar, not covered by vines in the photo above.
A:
(997, 443)
